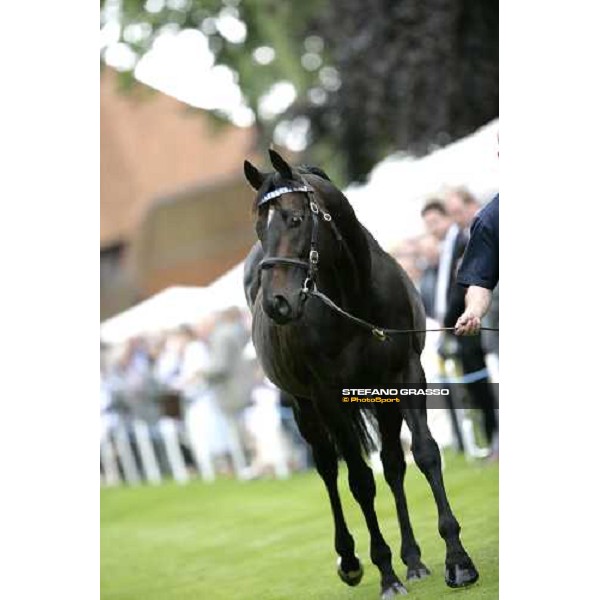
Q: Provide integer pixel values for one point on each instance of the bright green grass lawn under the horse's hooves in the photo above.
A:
(268, 540)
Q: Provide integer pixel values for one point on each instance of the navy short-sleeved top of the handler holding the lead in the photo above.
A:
(480, 264)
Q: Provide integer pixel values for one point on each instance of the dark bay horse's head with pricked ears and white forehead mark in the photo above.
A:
(286, 227)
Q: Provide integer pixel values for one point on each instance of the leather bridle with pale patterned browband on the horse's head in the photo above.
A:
(311, 265)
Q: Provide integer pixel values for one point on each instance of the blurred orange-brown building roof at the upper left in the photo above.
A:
(150, 146)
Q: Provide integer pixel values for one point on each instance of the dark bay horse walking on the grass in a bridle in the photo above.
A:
(310, 238)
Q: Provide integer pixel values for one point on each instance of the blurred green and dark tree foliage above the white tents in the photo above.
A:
(371, 76)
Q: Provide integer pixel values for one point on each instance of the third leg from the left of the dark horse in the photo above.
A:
(394, 469)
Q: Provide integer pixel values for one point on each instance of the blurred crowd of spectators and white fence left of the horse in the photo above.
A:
(194, 401)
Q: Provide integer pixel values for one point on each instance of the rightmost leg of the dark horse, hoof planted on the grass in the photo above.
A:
(460, 570)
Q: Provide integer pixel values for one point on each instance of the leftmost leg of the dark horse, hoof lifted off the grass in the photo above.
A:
(350, 569)
